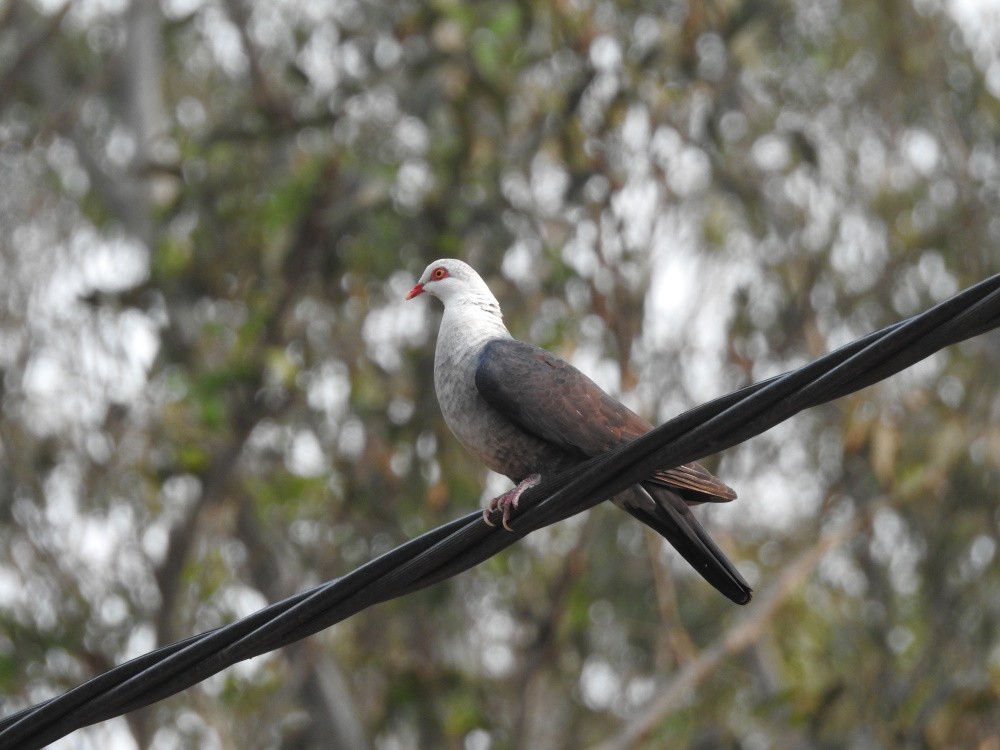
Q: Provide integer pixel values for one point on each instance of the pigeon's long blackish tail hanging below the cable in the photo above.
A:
(670, 517)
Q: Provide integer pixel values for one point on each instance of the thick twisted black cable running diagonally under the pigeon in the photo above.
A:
(467, 541)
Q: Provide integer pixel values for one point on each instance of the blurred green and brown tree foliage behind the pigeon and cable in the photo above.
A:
(214, 396)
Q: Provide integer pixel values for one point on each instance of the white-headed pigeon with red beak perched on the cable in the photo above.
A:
(525, 412)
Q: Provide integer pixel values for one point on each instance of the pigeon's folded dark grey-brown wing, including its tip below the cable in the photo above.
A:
(549, 398)
